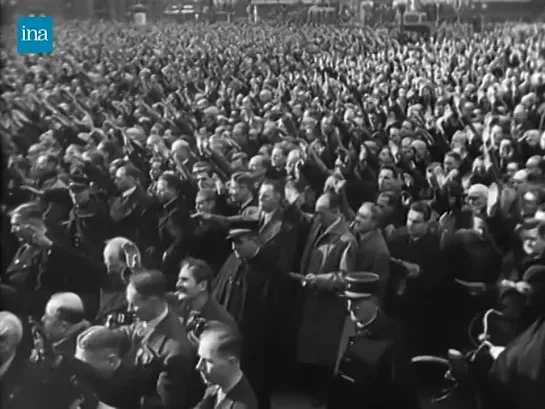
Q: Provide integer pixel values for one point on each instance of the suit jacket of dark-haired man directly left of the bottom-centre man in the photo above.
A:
(178, 385)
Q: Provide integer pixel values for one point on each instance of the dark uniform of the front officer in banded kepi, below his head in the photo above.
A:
(373, 371)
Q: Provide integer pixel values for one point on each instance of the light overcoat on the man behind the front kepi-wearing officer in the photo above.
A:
(324, 312)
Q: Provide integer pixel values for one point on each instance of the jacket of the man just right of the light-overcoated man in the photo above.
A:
(373, 256)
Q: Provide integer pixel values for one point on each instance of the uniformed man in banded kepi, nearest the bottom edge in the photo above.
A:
(372, 370)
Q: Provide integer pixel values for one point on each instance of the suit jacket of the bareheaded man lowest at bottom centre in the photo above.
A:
(240, 397)
